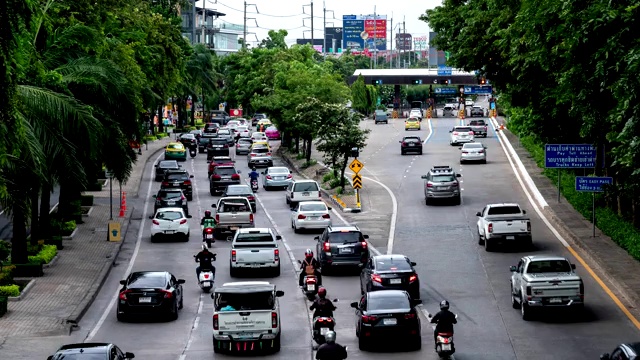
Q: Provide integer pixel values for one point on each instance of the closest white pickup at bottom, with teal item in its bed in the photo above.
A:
(246, 318)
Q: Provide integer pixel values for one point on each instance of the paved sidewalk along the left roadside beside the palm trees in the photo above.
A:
(57, 301)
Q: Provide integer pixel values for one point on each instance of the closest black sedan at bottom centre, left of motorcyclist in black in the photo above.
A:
(386, 317)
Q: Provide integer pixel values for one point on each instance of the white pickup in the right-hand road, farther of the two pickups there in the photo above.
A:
(503, 223)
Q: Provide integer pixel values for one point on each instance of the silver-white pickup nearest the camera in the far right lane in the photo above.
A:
(545, 282)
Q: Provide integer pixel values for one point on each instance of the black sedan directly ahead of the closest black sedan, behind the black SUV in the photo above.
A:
(390, 272)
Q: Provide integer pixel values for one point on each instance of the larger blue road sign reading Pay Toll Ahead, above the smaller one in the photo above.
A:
(569, 156)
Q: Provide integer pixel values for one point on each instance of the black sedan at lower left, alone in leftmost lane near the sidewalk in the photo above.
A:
(150, 292)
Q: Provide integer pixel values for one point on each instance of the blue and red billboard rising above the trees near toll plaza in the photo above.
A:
(364, 31)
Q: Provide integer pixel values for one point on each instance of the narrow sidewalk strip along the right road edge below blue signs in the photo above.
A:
(610, 260)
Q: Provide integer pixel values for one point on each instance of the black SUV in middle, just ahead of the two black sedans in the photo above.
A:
(341, 245)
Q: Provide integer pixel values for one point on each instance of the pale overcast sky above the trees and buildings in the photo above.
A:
(288, 15)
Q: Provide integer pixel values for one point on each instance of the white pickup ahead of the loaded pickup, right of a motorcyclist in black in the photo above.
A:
(255, 249)
